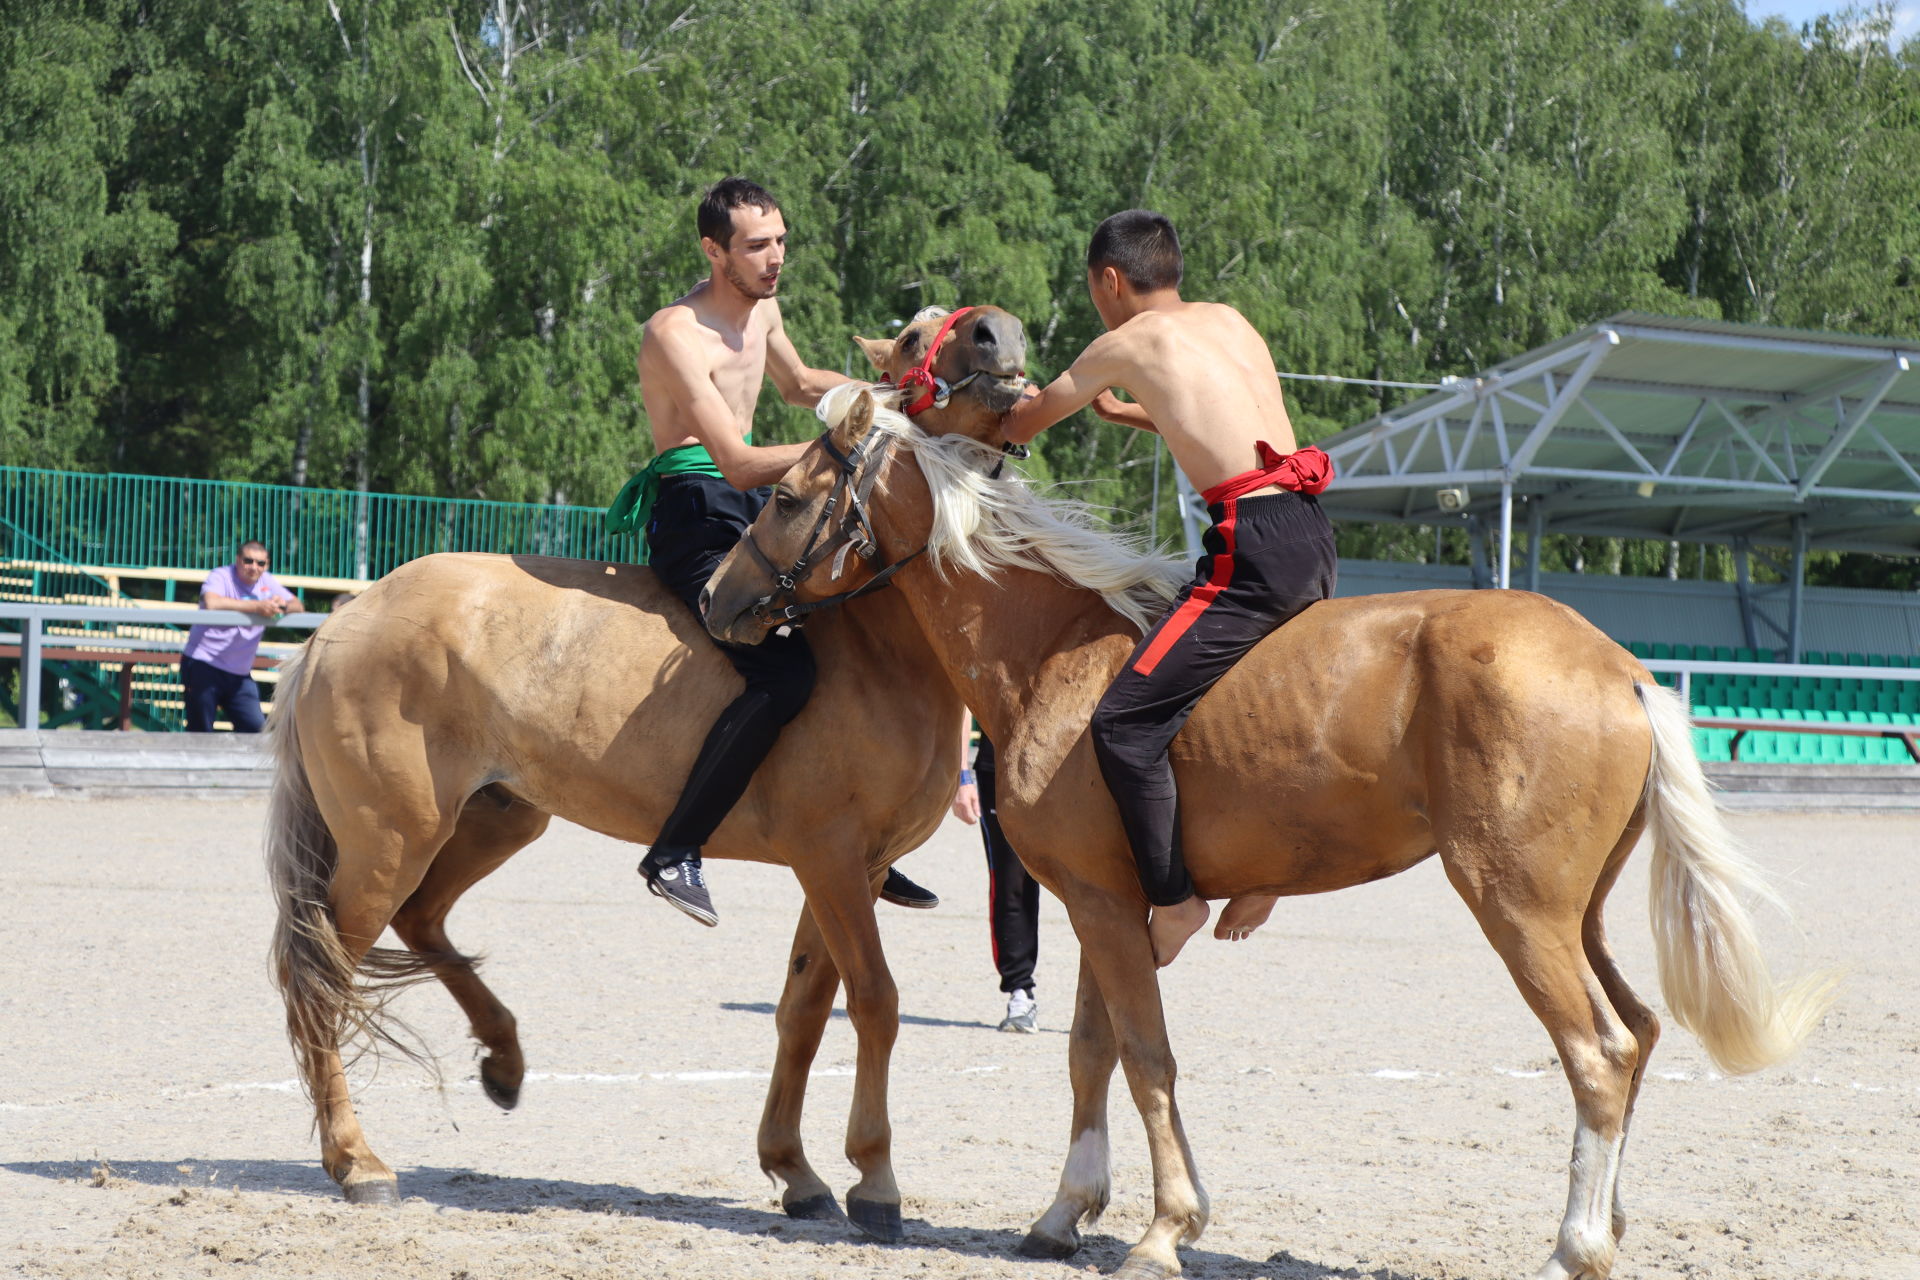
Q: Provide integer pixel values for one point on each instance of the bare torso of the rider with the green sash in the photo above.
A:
(694, 362)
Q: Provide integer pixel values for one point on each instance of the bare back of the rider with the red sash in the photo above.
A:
(1207, 381)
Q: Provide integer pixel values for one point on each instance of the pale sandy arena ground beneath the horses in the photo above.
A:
(1364, 1089)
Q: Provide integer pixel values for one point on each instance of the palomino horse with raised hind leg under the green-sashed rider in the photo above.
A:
(431, 730)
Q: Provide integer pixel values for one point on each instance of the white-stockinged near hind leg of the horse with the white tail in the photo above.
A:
(1524, 905)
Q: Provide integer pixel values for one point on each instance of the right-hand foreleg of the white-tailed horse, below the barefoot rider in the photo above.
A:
(1115, 939)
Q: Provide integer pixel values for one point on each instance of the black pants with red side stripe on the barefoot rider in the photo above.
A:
(1268, 559)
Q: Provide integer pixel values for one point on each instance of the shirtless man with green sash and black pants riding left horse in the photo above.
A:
(702, 364)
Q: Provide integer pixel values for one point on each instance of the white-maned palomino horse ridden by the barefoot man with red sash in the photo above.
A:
(1493, 728)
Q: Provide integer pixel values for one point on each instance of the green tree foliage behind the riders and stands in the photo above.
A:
(410, 245)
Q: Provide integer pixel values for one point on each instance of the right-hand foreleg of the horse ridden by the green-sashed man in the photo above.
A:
(840, 895)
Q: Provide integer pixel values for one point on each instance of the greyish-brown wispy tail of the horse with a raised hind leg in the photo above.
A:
(327, 1003)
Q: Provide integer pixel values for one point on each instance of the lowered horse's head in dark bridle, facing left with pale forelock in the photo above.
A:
(819, 542)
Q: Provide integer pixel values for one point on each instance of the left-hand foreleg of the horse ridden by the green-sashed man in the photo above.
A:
(805, 1007)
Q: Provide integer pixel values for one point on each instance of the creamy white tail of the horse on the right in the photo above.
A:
(1714, 974)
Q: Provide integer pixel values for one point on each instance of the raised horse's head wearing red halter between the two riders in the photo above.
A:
(974, 350)
